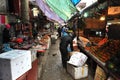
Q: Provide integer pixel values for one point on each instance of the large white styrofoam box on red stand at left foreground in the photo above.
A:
(14, 63)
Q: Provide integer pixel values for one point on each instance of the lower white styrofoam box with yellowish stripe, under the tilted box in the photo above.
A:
(77, 72)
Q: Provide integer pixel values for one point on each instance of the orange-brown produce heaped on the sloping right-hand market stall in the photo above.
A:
(105, 50)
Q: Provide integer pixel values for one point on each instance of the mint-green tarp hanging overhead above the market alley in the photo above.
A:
(63, 8)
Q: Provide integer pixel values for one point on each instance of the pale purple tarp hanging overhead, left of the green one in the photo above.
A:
(46, 10)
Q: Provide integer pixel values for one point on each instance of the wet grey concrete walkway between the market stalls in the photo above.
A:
(53, 70)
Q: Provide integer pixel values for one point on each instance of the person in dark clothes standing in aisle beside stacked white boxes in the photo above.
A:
(65, 42)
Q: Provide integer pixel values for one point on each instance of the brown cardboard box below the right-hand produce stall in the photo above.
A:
(100, 74)
